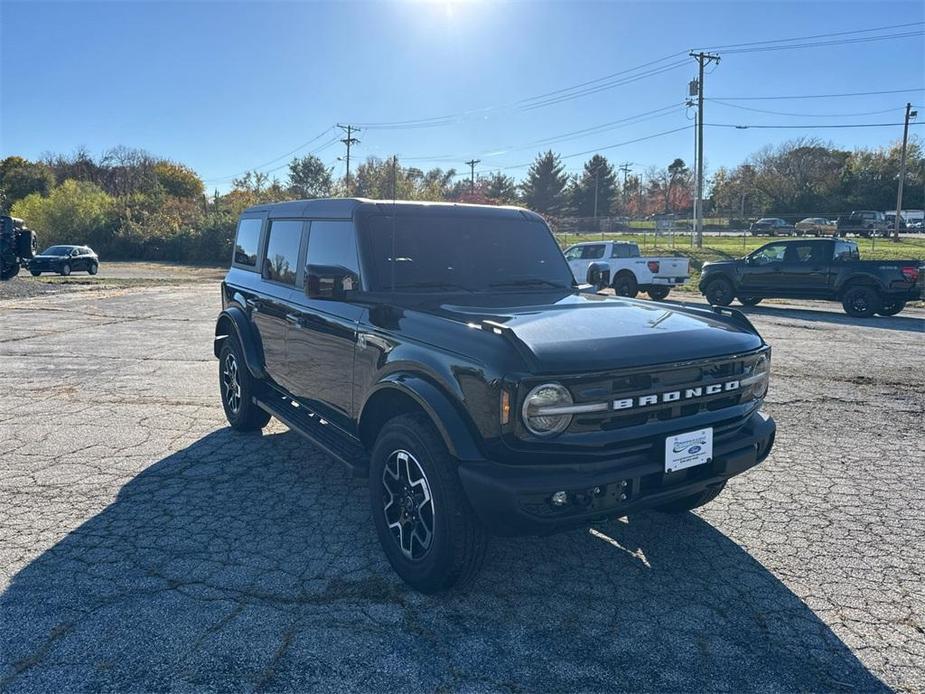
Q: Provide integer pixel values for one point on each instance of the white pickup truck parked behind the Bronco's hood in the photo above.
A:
(630, 272)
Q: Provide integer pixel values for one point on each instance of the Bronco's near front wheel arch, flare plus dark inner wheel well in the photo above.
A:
(400, 393)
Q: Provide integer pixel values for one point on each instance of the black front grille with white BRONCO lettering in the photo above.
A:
(690, 383)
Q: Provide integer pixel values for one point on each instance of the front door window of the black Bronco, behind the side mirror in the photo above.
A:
(331, 261)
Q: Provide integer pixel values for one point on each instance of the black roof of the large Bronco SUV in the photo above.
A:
(347, 208)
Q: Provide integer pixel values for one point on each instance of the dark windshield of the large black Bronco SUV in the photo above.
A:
(461, 253)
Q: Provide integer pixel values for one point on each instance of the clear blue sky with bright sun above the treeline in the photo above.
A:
(225, 87)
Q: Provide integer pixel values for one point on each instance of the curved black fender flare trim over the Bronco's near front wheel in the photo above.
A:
(451, 424)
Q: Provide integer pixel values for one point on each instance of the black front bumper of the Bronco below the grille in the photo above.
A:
(515, 499)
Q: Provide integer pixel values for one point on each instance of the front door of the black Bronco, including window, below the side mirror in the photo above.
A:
(322, 340)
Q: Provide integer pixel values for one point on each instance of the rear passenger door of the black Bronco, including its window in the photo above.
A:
(271, 307)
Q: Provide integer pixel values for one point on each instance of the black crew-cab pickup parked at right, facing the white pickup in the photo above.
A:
(829, 269)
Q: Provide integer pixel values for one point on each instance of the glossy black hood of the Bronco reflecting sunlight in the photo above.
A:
(590, 332)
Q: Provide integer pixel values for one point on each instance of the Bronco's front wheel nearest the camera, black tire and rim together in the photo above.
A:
(457, 541)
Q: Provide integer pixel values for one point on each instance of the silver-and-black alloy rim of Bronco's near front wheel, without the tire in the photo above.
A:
(408, 504)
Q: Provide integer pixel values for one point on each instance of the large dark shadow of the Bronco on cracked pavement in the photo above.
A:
(250, 562)
